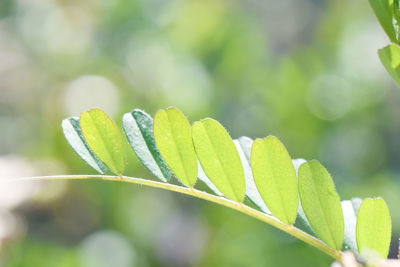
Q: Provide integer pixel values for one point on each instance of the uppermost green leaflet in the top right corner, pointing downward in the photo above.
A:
(383, 10)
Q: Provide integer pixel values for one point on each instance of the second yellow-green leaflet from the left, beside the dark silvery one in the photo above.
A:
(173, 137)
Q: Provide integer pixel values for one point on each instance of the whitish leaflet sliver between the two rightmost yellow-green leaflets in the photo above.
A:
(350, 210)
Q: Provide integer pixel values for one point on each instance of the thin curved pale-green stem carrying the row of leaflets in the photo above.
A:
(290, 229)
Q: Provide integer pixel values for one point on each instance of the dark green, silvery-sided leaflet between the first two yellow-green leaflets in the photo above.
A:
(138, 127)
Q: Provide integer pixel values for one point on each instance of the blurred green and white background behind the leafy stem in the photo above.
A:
(306, 71)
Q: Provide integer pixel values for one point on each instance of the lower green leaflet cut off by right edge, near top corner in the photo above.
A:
(390, 58)
